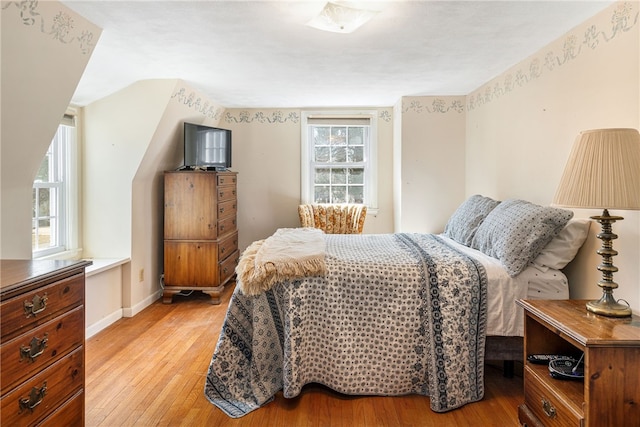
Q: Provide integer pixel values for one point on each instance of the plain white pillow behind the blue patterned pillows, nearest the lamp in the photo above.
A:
(565, 246)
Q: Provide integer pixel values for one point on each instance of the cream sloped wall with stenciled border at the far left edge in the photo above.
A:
(45, 49)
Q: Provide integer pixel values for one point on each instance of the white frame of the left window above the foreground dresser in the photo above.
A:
(64, 152)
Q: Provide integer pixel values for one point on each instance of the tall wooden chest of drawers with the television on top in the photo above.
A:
(200, 232)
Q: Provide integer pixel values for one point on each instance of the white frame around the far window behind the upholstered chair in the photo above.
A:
(371, 153)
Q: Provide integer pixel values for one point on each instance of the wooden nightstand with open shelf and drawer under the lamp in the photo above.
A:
(609, 395)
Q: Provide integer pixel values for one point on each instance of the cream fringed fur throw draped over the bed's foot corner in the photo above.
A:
(289, 253)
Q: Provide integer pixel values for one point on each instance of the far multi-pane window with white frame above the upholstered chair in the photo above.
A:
(338, 158)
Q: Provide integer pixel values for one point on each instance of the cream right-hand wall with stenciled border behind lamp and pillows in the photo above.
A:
(521, 126)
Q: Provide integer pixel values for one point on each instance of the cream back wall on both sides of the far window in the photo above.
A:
(266, 155)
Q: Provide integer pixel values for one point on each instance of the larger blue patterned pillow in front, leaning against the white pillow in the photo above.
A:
(516, 231)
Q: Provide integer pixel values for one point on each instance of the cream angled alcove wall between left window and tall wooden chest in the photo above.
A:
(131, 137)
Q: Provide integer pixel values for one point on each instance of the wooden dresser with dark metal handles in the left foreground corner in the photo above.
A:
(42, 349)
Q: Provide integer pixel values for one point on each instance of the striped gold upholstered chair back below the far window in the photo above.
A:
(341, 218)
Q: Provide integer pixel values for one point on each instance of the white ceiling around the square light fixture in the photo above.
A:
(261, 53)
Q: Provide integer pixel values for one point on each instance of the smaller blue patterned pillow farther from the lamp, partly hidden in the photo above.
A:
(464, 222)
